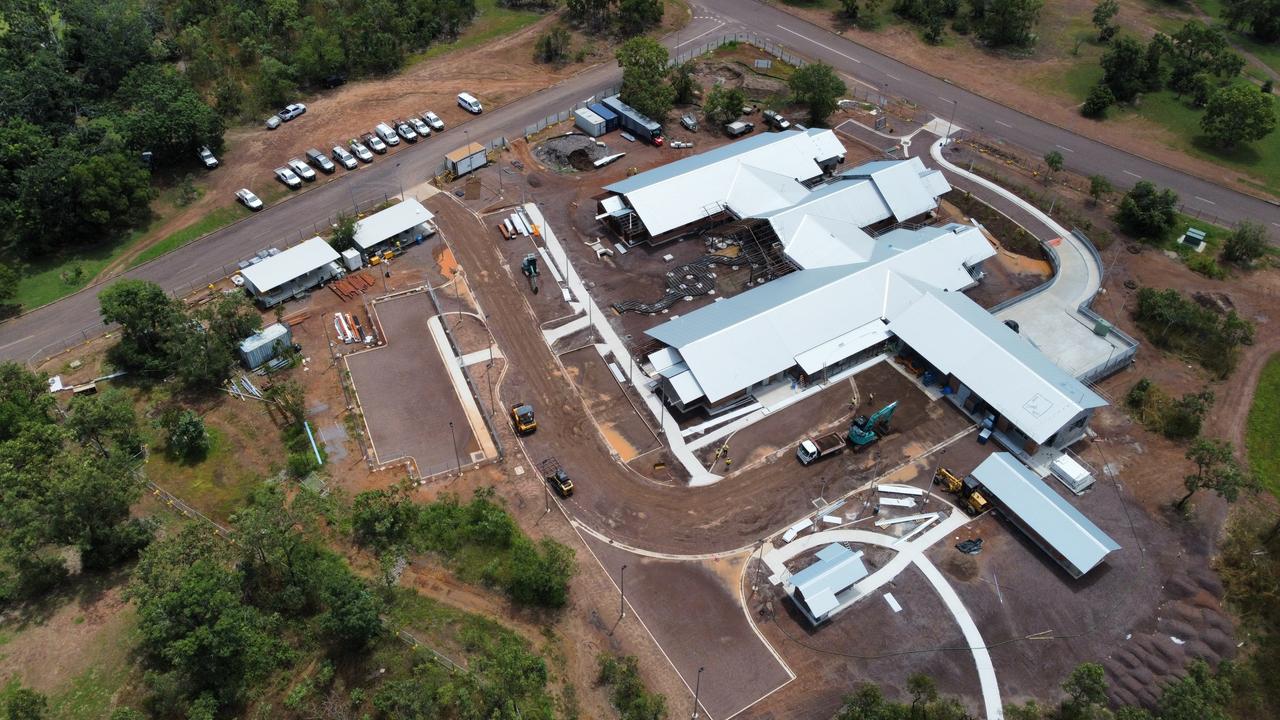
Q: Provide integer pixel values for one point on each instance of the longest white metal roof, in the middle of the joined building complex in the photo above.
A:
(737, 343)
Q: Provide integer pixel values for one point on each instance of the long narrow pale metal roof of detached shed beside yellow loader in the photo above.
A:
(1064, 528)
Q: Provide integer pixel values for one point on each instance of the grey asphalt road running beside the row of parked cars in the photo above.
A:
(43, 331)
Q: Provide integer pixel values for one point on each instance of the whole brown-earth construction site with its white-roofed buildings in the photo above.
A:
(784, 375)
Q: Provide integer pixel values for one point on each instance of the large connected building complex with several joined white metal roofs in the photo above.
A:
(868, 268)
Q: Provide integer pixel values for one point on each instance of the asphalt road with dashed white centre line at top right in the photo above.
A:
(976, 112)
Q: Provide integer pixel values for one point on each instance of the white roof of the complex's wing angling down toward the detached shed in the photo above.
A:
(1000, 366)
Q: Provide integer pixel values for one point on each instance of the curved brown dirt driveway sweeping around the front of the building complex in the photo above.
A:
(618, 502)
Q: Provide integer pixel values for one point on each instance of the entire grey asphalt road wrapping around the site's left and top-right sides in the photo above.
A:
(47, 330)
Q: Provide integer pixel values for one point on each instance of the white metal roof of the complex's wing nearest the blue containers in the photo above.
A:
(688, 190)
